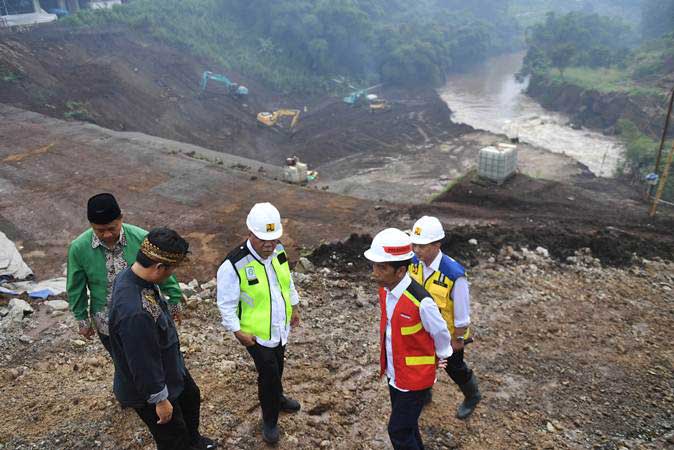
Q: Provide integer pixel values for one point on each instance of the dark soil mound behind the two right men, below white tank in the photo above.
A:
(526, 212)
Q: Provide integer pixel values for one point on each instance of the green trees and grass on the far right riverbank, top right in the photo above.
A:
(602, 53)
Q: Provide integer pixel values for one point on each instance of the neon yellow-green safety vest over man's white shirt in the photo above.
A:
(255, 302)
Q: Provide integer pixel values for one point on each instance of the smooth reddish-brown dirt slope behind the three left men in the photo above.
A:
(48, 168)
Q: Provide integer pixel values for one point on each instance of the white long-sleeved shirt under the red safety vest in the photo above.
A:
(431, 320)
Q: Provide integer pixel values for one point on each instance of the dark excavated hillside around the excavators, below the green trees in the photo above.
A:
(126, 81)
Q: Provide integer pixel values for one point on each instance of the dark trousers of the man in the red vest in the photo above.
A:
(403, 425)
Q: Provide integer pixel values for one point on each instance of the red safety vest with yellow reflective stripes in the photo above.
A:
(413, 347)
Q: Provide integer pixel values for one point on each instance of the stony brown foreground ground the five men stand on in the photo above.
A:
(569, 354)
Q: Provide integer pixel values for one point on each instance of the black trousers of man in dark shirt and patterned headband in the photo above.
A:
(182, 432)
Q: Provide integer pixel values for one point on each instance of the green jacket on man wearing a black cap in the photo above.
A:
(88, 269)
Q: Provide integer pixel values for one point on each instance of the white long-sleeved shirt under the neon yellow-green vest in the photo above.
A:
(228, 297)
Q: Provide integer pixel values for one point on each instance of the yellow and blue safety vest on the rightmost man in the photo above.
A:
(440, 285)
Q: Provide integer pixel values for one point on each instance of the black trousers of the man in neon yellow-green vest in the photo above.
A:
(269, 365)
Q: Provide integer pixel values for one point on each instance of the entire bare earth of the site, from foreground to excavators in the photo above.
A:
(572, 350)
